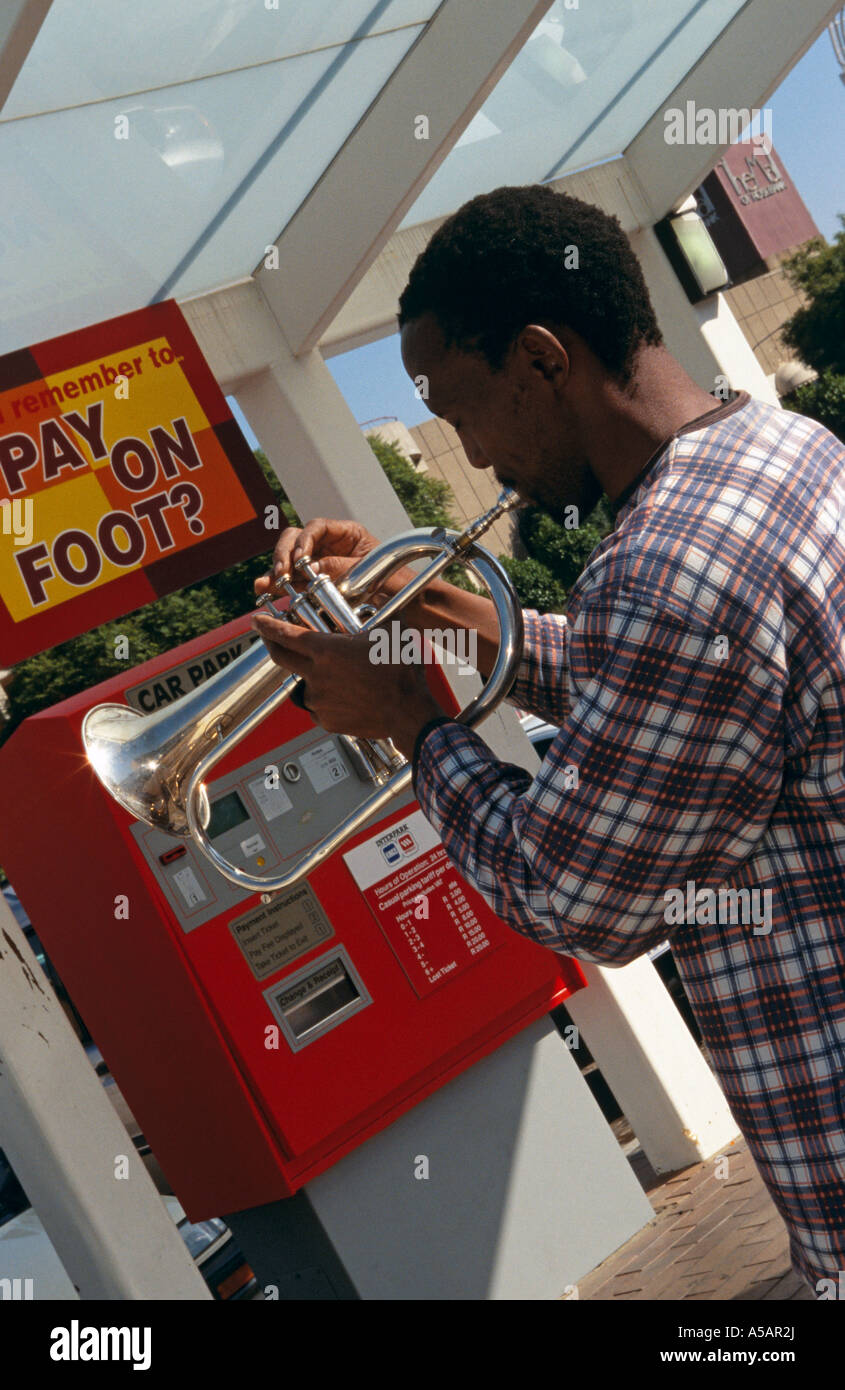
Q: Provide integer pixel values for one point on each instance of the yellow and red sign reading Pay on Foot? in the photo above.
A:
(123, 477)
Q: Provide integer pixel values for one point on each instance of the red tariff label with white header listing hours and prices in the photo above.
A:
(433, 921)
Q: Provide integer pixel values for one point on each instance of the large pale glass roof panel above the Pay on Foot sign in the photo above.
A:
(169, 151)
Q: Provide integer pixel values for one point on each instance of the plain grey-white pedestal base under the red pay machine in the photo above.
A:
(525, 1188)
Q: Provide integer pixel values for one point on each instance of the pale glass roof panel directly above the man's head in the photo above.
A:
(583, 87)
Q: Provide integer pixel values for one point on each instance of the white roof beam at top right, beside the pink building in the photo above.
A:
(741, 69)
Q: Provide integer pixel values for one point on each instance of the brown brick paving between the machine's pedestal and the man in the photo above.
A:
(714, 1238)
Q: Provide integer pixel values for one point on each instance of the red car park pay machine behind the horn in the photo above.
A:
(259, 1043)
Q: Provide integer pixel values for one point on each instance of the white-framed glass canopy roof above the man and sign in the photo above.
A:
(159, 149)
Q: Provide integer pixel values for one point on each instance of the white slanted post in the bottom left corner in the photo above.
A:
(65, 1140)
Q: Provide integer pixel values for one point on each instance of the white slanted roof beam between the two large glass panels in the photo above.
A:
(382, 169)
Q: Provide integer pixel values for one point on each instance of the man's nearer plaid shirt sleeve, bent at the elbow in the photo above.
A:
(666, 769)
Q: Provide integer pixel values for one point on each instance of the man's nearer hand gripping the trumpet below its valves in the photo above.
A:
(345, 692)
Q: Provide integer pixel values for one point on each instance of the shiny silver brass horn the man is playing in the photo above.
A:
(156, 765)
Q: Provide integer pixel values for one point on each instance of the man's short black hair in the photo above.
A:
(501, 263)
